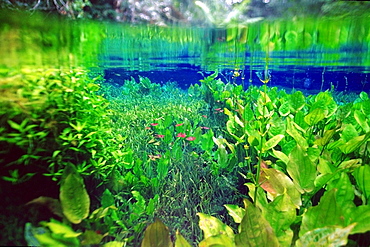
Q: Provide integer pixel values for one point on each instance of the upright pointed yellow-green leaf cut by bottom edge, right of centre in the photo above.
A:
(255, 230)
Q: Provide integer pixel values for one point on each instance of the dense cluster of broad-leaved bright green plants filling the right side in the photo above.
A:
(306, 160)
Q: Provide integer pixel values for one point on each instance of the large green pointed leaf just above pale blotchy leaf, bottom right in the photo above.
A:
(327, 213)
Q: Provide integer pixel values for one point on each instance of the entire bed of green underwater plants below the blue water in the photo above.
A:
(106, 162)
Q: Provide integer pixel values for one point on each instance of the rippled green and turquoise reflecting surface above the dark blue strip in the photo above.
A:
(40, 40)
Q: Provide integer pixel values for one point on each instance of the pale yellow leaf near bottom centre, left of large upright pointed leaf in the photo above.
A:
(211, 226)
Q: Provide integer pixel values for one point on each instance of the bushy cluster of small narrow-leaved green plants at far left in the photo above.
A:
(52, 120)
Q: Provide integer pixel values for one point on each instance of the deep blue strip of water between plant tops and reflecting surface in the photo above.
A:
(312, 79)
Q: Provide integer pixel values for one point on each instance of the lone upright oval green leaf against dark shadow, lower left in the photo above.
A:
(73, 196)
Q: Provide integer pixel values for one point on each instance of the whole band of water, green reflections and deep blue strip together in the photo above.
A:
(306, 54)
